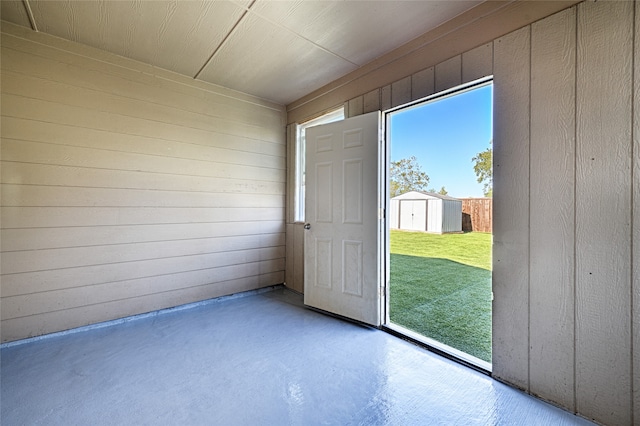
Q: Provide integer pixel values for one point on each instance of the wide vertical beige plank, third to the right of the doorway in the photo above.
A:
(603, 207)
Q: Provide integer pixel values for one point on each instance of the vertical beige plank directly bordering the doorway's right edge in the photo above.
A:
(511, 208)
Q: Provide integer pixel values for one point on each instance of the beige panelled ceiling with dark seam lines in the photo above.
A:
(277, 50)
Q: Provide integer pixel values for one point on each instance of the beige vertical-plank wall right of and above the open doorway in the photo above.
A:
(566, 318)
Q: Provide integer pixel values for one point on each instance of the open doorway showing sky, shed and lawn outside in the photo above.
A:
(440, 228)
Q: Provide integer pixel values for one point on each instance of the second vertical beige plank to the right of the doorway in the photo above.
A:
(552, 207)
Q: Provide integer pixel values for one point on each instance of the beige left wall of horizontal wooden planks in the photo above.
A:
(127, 189)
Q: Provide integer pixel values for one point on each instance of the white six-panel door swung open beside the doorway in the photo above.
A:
(342, 244)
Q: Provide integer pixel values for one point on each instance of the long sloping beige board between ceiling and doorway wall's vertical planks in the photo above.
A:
(488, 21)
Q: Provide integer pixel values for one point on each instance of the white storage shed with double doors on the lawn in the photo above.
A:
(426, 211)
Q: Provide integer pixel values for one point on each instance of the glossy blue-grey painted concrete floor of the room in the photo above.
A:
(259, 360)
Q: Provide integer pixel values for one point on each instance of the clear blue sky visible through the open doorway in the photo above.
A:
(444, 136)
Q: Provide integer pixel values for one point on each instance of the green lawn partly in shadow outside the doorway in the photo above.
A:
(441, 288)
